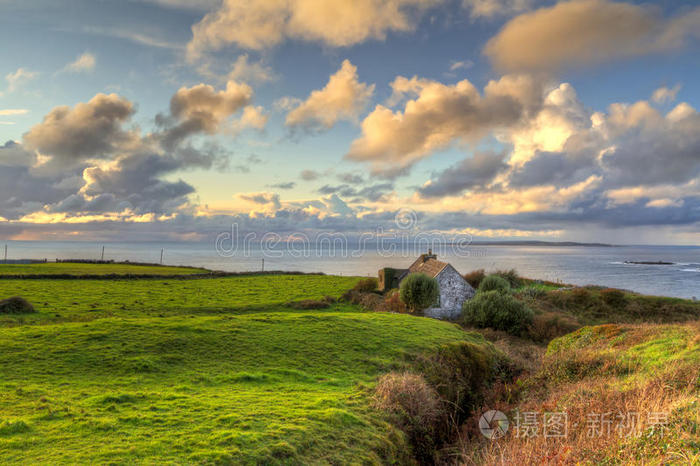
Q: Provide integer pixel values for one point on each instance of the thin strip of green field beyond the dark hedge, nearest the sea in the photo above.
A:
(52, 268)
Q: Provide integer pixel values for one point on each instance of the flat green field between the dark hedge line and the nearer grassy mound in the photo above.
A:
(62, 300)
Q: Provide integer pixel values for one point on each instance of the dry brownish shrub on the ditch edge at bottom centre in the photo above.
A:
(415, 408)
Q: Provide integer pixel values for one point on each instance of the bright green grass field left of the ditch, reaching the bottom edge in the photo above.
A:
(201, 371)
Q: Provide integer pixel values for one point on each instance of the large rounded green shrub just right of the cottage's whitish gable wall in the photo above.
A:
(497, 310)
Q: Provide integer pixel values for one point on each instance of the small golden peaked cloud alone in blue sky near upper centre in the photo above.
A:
(343, 97)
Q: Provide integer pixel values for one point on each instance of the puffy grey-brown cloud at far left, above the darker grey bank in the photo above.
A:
(88, 130)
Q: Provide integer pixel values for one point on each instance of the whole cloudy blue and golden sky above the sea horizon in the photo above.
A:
(498, 119)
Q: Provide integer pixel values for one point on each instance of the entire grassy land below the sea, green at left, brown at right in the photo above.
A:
(239, 370)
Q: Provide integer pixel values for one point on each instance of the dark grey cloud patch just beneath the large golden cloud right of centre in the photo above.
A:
(477, 171)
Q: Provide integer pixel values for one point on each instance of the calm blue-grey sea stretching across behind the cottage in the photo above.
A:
(579, 265)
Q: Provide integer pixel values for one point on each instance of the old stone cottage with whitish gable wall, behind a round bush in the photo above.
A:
(454, 289)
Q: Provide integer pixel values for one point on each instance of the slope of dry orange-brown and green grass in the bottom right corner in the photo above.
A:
(610, 370)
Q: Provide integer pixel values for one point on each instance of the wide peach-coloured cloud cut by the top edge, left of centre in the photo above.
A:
(259, 24)
